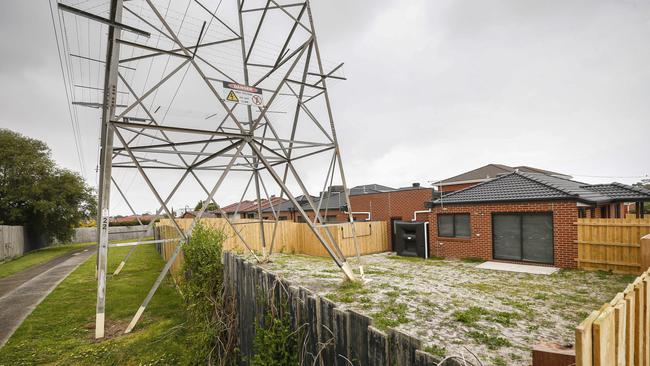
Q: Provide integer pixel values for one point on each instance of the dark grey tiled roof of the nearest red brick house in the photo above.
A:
(523, 186)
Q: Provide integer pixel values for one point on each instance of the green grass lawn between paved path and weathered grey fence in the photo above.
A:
(60, 330)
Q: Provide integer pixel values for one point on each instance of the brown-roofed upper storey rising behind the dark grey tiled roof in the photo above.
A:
(485, 173)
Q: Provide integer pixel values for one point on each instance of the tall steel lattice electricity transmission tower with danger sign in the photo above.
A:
(257, 67)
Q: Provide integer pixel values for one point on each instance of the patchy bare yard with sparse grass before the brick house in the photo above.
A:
(450, 304)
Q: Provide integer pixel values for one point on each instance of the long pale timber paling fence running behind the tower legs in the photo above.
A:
(290, 237)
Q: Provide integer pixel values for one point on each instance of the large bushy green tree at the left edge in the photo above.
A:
(37, 194)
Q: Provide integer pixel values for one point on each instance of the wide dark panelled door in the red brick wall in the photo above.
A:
(523, 237)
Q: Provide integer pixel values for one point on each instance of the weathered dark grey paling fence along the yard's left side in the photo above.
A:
(332, 336)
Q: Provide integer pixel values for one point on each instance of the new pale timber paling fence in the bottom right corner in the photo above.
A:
(618, 333)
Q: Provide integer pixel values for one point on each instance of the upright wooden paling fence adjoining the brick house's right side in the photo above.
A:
(612, 244)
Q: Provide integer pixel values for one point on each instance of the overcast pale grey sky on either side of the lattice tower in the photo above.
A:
(434, 88)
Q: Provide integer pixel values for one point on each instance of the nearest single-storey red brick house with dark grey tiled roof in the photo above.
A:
(523, 217)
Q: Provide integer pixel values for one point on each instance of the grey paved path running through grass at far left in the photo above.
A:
(20, 293)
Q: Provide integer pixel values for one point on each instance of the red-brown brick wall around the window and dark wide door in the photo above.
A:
(479, 244)
